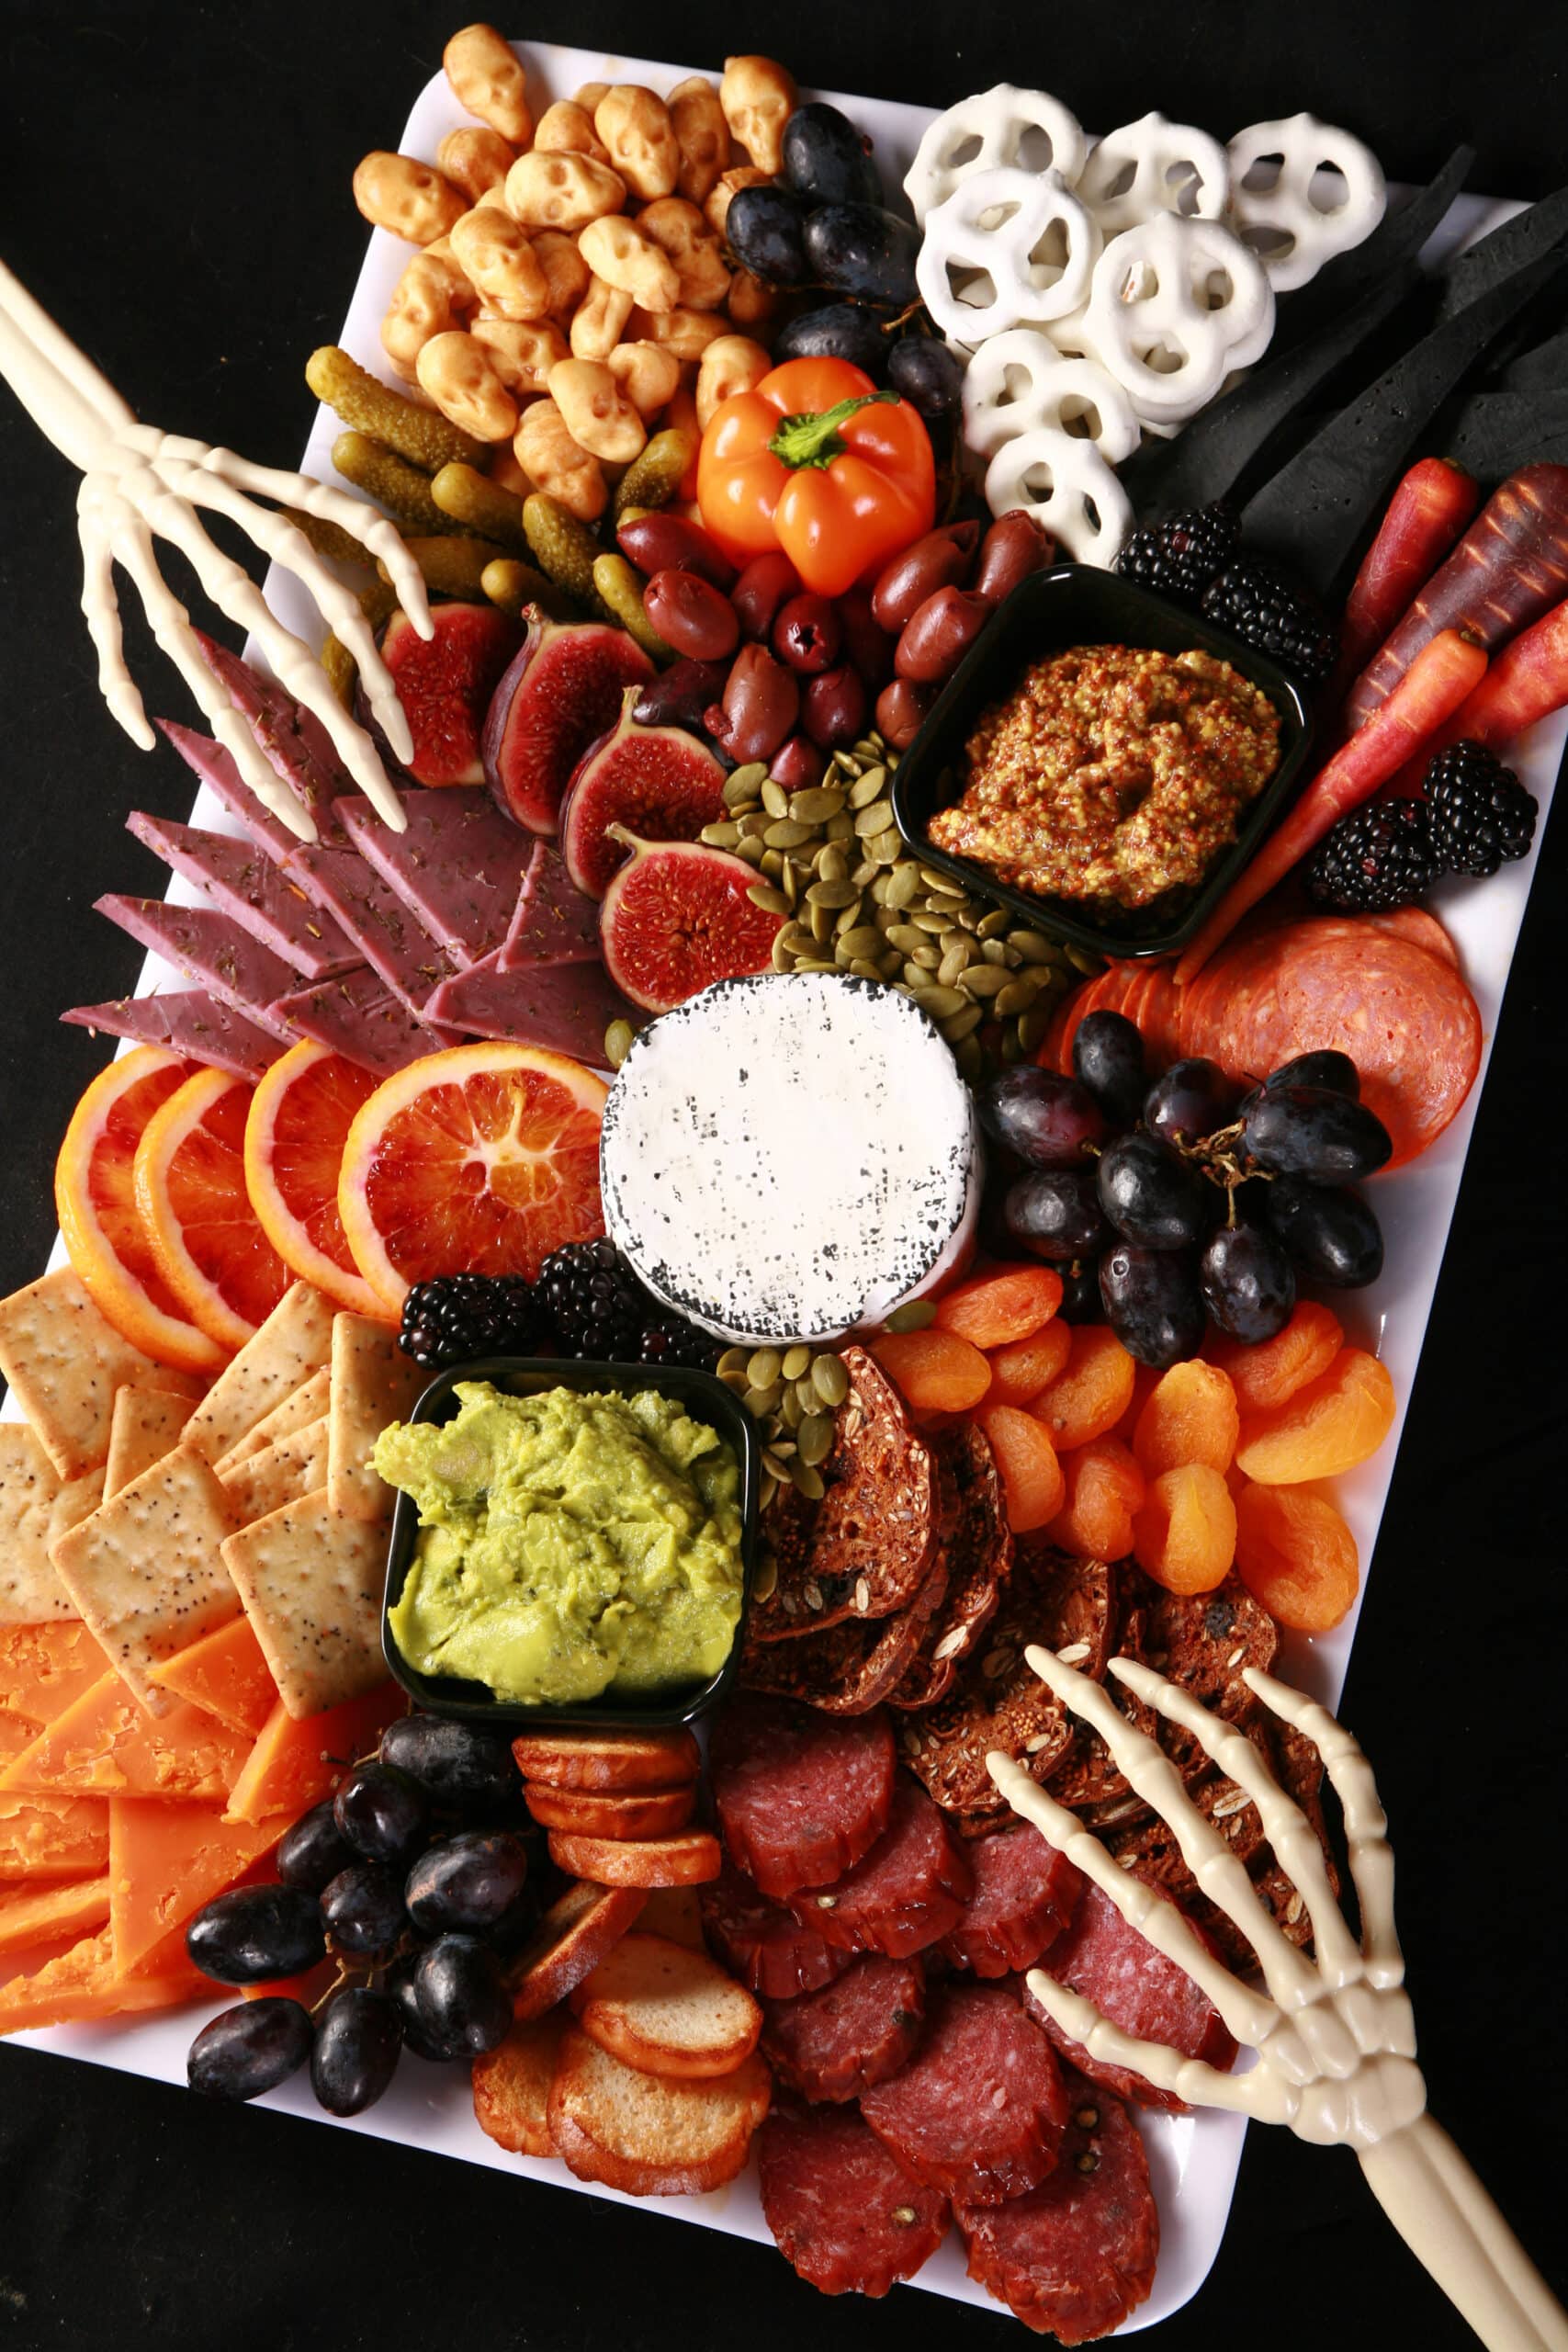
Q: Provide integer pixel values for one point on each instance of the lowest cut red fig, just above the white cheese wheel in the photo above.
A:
(681, 918)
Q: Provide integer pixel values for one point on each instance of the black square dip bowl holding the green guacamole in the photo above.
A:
(702, 1396)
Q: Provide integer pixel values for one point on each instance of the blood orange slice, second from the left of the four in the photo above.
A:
(192, 1194)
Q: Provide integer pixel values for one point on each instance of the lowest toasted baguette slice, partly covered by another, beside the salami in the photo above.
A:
(645, 2134)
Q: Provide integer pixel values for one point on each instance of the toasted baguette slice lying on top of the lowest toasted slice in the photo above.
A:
(669, 2010)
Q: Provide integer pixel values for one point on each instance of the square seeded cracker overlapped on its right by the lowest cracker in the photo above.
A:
(147, 1572)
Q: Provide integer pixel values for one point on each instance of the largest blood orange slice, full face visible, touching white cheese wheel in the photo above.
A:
(476, 1161)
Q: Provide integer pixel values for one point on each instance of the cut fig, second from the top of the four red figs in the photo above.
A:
(561, 695)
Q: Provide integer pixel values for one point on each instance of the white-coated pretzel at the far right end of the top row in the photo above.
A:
(1289, 232)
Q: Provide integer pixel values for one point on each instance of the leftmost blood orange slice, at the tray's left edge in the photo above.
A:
(95, 1198)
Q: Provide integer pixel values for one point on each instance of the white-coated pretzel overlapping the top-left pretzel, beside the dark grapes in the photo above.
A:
(1005, 250)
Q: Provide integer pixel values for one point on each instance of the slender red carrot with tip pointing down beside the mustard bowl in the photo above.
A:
(1433, 688)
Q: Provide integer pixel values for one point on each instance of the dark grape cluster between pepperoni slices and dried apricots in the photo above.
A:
(1186, 1198)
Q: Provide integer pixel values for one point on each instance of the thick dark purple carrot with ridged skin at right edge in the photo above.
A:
(1508, 568)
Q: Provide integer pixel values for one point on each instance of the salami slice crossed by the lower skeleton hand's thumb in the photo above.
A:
(1139, 1991)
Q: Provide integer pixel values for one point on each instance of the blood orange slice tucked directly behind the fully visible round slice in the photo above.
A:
(295, 1142)
